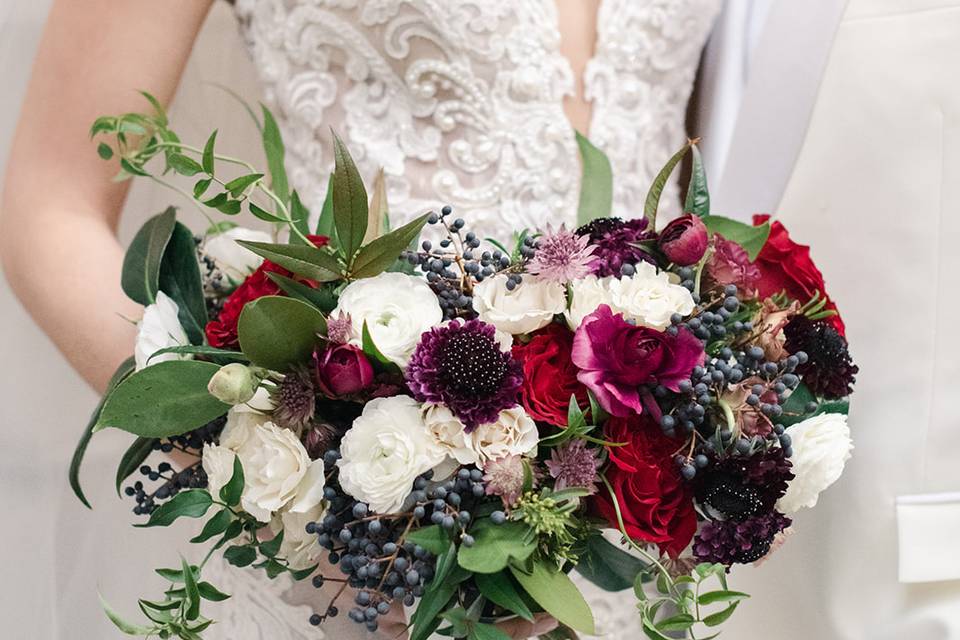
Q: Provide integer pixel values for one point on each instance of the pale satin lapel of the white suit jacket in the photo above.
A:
(785, 73)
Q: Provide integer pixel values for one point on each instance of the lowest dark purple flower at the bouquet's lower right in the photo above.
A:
(729, 542)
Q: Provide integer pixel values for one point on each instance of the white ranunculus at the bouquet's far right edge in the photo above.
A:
(821, 446)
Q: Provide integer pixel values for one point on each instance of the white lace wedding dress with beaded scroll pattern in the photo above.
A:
(461, 103)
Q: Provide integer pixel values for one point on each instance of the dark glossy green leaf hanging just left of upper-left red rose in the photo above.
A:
(180, 279)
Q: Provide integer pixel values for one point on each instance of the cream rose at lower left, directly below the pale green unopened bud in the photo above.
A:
(276, 472)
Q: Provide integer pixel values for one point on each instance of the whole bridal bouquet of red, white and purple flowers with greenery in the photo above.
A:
(453, 422)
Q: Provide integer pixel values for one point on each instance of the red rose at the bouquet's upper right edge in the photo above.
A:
(786, 266)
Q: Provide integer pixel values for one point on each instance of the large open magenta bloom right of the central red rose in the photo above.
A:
(616, 357)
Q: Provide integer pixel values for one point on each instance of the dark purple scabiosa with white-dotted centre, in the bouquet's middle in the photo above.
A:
(460, 364)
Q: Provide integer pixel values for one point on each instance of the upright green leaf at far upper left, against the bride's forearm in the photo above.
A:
(140, 278)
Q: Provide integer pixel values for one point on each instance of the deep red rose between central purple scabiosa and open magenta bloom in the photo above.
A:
(549, 375)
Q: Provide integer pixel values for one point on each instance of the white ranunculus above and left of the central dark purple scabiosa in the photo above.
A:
(397, 308)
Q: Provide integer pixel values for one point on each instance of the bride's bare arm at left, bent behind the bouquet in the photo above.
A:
(60, 209)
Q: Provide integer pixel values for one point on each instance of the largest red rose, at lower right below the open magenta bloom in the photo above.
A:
(655, 502)
